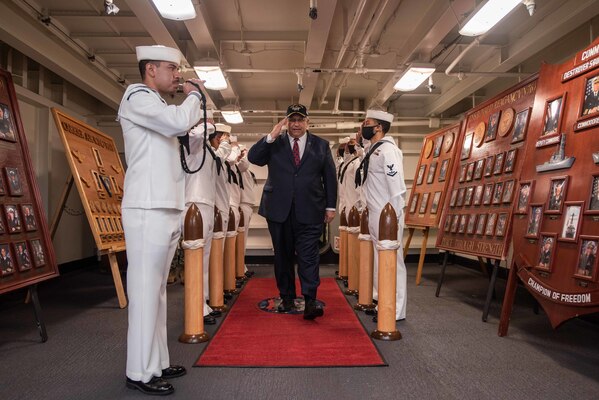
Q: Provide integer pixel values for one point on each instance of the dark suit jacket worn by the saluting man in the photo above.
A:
(312, 186)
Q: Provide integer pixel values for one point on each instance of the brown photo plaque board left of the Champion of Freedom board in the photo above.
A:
(489, 157)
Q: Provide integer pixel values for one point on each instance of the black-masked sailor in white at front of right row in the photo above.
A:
(382, 178)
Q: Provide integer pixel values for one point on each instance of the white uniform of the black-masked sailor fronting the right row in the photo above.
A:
(385, 184)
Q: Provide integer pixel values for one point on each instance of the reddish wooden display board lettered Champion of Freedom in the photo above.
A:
(557, 220)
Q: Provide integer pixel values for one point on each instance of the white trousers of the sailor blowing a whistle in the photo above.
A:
(151, 237)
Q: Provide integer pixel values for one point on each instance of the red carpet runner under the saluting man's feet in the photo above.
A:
(250, 337)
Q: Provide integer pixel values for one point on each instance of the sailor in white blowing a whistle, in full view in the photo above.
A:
(154, 197)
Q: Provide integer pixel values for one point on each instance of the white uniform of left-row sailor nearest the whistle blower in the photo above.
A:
(200, 189)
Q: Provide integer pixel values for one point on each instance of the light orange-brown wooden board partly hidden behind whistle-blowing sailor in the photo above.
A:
(99, 176)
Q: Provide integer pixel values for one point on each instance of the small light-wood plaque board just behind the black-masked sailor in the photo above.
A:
(432, 177)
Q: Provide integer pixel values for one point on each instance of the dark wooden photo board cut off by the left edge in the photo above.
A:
(26, 252)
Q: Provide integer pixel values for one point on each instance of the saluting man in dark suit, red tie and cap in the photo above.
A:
(299, 195)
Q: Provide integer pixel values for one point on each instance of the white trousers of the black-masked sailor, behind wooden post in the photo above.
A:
(401, 295)
